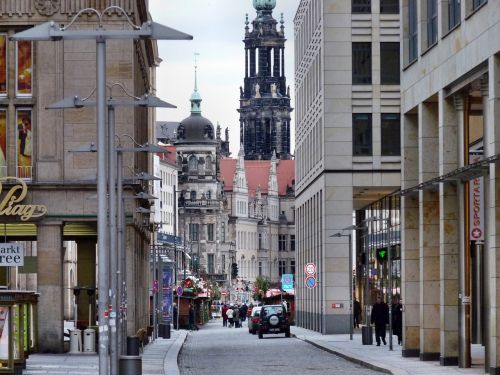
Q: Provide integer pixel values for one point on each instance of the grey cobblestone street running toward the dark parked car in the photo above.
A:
(216, 349)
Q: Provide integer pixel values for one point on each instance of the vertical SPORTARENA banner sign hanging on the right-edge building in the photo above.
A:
(476, 205)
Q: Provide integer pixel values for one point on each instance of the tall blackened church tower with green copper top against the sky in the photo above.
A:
(265, 99)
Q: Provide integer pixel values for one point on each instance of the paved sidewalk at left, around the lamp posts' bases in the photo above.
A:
(159, 357)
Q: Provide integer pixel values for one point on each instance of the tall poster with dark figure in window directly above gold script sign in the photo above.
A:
(24, 143)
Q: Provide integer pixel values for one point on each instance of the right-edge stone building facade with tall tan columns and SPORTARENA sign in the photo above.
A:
(450, 89)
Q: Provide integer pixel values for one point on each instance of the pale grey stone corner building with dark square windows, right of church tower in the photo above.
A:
(347, 141)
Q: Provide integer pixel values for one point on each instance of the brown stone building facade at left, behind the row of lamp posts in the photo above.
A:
(36, 145)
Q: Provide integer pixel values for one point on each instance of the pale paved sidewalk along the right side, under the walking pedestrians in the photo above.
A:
(381, 358)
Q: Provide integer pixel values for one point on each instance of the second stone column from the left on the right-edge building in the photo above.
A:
(429, 233)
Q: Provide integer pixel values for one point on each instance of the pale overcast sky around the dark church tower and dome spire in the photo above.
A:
(217, 27)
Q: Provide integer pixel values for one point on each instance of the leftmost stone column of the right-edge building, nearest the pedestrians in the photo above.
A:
(410, 275)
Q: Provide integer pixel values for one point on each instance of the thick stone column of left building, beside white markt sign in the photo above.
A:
(50, 286)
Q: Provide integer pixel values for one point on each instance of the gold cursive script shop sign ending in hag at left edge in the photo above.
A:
(10, 203)
